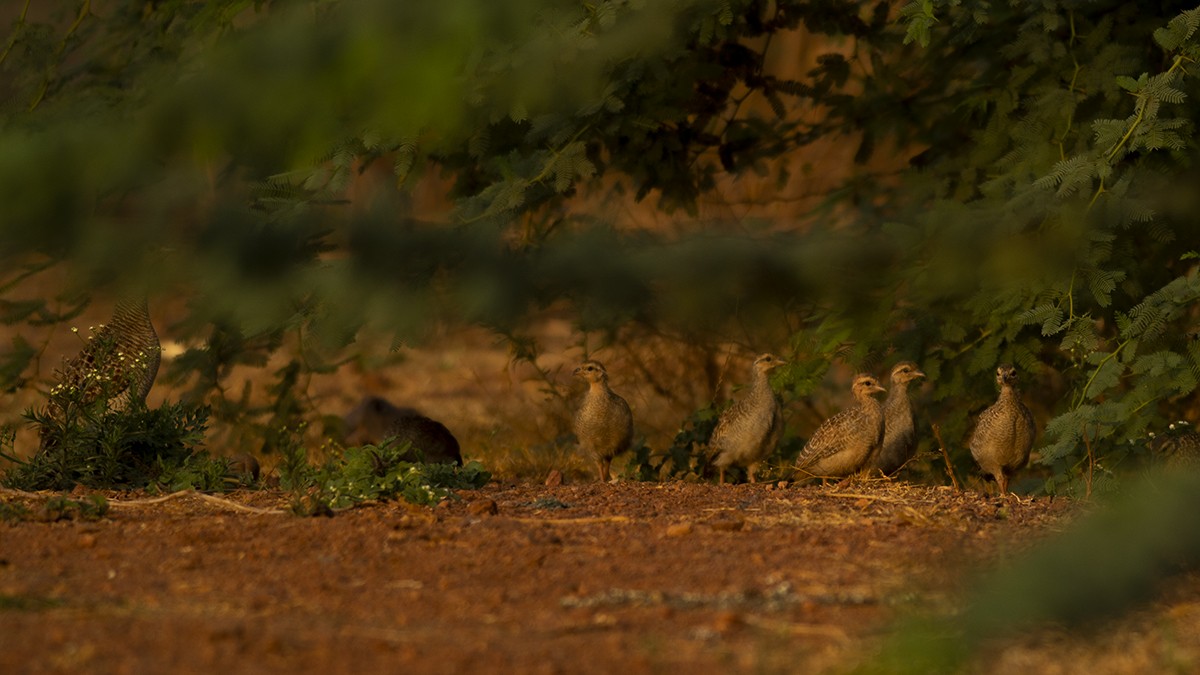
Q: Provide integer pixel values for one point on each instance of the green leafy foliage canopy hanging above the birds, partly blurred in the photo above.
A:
(1046, 217)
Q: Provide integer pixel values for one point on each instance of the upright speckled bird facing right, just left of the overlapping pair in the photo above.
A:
(749, 431)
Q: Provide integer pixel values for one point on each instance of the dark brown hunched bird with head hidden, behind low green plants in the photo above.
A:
(375, 420)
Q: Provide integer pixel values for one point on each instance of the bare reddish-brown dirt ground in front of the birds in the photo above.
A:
(523, 578)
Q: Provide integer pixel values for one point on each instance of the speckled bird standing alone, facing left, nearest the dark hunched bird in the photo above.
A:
(603, 423)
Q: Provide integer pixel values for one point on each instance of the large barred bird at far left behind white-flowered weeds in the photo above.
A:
(119, 362)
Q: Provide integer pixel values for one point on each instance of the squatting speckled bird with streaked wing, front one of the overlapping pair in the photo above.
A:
(845, 443)
